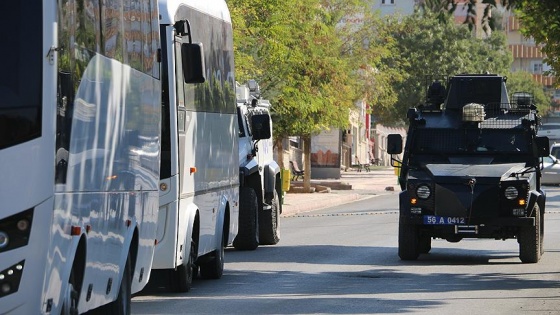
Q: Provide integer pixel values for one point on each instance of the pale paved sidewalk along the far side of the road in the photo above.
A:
(351, 186)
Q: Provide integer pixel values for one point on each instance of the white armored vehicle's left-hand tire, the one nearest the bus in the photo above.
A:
(248, 236)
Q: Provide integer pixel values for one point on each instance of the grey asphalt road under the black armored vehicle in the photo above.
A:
(343, 260)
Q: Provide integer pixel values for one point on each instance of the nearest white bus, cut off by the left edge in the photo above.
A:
(79, 154)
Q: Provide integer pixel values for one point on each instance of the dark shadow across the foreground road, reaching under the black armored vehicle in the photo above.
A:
(384, 287)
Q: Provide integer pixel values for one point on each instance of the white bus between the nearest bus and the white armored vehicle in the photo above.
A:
(199, 187)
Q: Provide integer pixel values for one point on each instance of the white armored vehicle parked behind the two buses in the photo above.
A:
(259, 174)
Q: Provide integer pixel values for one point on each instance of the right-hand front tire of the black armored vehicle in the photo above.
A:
(530, 239)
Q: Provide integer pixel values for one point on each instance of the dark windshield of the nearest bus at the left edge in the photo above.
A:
(21, 58)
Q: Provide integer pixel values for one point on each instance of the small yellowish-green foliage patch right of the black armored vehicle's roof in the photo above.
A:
(523, 82)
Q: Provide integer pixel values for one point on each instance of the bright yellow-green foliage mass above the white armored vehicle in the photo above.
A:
(307, 62)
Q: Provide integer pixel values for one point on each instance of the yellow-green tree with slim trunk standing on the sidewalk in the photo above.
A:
(315, 93)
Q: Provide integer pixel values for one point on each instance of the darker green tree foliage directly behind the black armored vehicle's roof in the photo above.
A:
(429, 48)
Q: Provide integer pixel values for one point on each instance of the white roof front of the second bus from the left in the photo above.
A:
(215, 8)
